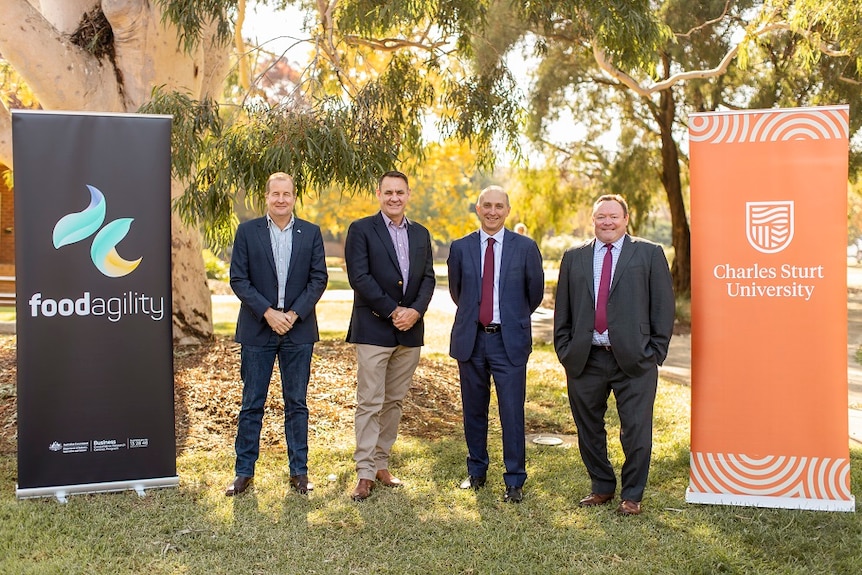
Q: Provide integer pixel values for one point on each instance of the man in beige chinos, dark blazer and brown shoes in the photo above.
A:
(391, 270)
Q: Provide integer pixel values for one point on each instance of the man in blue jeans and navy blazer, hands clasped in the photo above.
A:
(278, 272)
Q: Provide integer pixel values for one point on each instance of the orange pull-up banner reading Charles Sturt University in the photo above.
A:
(769, 421)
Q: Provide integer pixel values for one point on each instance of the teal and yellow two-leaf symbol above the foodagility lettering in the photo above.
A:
(79, 226)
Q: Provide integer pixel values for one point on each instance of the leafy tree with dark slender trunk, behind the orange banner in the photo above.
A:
(670, 58)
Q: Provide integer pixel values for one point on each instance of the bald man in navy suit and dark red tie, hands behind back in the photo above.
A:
(497, 281)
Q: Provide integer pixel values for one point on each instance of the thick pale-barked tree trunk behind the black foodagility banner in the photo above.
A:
(147, 53)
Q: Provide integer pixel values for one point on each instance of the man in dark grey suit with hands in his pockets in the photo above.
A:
(613, 322)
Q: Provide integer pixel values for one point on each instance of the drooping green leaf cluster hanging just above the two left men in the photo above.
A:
(342, 144)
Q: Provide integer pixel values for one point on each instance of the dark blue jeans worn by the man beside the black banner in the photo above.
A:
(294, 362)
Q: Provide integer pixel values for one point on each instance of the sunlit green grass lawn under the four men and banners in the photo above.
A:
(429, 526)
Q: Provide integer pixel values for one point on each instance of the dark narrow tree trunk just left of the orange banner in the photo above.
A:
(670, 178)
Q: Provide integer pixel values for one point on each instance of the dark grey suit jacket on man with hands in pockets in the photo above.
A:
(641, 307)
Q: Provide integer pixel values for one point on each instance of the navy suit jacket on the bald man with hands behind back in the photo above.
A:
(521, 289)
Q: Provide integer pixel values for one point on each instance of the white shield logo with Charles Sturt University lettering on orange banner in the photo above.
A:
(770, 227)
